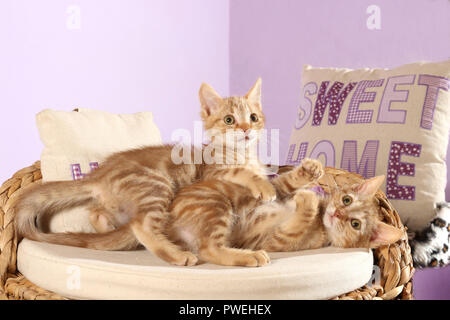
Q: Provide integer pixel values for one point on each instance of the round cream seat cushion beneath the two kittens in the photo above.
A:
(90, 274)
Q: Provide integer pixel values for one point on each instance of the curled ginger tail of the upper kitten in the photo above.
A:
(50, 198)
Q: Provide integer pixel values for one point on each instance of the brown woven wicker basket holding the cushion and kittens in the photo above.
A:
(394, 261)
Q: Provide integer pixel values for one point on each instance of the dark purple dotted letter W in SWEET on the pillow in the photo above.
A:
(334, 97)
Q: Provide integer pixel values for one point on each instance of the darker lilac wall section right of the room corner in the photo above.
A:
(274, 39)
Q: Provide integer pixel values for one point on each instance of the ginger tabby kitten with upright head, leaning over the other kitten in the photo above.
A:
(130, 193)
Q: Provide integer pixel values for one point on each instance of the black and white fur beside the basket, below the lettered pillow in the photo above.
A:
(430, 246)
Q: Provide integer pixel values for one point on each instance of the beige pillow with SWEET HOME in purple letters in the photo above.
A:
(380, 121)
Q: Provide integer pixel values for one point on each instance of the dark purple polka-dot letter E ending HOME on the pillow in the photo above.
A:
(397, 168)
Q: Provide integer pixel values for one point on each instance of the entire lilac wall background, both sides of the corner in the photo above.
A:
(152, 55)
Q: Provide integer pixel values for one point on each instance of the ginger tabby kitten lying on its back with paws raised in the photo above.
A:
(223, 224)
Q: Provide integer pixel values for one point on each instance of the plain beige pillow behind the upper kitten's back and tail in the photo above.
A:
(77, 142)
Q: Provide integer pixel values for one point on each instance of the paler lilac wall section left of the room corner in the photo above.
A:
(128, 56)
